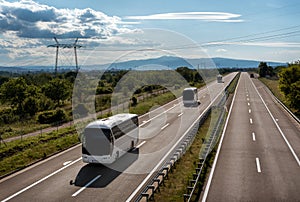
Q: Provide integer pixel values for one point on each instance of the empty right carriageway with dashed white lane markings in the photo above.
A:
(258, 158)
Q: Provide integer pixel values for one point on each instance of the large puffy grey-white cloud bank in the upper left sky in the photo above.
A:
(29, 19)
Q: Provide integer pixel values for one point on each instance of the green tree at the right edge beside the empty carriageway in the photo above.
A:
(289, 84)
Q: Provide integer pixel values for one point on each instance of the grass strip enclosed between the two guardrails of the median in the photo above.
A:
(178, 180)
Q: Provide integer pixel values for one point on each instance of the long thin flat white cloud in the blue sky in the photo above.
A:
(205, 16)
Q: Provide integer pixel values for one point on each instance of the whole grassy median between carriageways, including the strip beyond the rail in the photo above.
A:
(178, 180)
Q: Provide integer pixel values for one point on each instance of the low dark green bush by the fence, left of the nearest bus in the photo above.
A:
(53, 116)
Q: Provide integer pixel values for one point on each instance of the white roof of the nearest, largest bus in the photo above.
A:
(111, 121)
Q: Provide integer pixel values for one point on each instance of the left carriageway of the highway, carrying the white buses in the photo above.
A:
(160, 131)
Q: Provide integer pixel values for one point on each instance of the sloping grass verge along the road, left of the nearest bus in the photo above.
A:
(21, 153)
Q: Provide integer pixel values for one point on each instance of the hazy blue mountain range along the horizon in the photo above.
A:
(164, 62)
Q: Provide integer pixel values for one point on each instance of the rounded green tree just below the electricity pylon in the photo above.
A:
(58, 90)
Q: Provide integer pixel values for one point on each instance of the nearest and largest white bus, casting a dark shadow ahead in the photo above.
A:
(106, 140)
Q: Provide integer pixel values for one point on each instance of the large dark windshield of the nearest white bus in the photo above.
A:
(98, 141)
